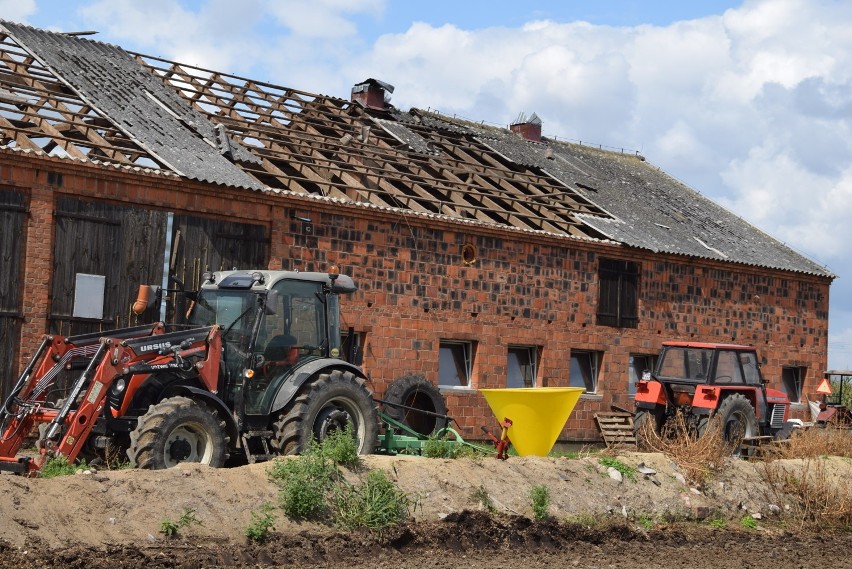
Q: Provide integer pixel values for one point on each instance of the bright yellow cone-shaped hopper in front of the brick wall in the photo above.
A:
(538, 414)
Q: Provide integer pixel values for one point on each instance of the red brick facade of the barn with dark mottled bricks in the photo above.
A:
(416, 288)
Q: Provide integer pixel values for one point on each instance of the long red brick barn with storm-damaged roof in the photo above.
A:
(485, 257)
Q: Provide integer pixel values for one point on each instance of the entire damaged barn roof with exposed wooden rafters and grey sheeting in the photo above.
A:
(66, 95)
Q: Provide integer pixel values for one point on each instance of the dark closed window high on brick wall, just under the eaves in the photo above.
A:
(618, 304)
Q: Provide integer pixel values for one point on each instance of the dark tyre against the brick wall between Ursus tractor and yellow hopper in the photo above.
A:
(418, 393)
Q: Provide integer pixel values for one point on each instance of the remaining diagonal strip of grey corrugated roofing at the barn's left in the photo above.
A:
(138, 103)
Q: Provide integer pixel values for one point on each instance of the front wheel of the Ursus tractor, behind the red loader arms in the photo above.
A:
(178, 430)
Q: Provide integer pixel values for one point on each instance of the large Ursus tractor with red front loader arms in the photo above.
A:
(256, 371)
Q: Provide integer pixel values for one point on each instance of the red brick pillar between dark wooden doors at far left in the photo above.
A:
(37, 271)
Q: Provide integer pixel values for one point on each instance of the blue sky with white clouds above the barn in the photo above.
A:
(748, 102)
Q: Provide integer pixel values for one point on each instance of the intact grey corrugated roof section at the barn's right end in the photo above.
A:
(651, 210)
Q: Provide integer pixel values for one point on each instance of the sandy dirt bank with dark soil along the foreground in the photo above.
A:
(113, 518)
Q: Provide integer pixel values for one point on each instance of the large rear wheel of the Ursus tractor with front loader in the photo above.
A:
(325, 404)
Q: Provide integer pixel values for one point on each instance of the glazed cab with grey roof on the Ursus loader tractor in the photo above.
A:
(273, 322)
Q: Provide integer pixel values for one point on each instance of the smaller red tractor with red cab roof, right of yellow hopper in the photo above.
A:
(711, 384)
